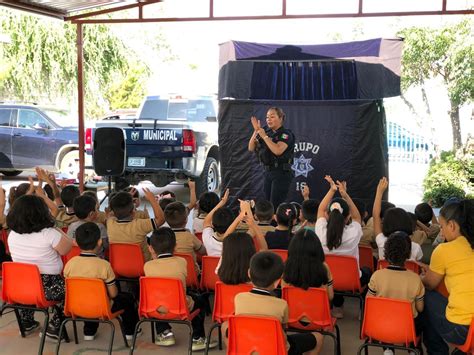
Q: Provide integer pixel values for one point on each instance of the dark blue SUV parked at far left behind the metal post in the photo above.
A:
(32, 136)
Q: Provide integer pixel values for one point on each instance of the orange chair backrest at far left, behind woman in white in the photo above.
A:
(22, 284)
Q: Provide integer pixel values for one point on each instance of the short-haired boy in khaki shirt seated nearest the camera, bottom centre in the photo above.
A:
(266, 269)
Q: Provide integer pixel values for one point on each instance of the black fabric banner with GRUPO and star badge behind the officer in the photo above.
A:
(344, 139)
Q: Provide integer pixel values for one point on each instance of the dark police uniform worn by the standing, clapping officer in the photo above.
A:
(278, 173)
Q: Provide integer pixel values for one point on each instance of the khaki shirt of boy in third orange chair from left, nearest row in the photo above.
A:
(170, 266)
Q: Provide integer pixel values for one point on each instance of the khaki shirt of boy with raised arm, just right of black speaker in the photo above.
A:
(131, 231)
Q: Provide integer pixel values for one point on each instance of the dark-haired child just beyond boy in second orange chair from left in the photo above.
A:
(85, 208)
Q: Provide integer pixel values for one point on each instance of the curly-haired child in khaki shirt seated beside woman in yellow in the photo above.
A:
(395, 281)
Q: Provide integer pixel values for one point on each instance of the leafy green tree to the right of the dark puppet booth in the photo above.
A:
(447, 53)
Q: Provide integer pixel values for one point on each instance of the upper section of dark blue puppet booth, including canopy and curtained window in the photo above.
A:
(343, 71)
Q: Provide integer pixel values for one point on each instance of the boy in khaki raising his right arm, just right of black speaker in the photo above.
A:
(123, 228)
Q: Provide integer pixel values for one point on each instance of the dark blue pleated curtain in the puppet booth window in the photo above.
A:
(328, 80)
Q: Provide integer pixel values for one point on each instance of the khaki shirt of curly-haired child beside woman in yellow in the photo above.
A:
(398, 283)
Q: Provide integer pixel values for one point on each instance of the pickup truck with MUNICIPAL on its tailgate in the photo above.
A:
(173, 138)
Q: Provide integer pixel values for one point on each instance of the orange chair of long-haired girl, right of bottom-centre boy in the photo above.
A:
(311, 306)
